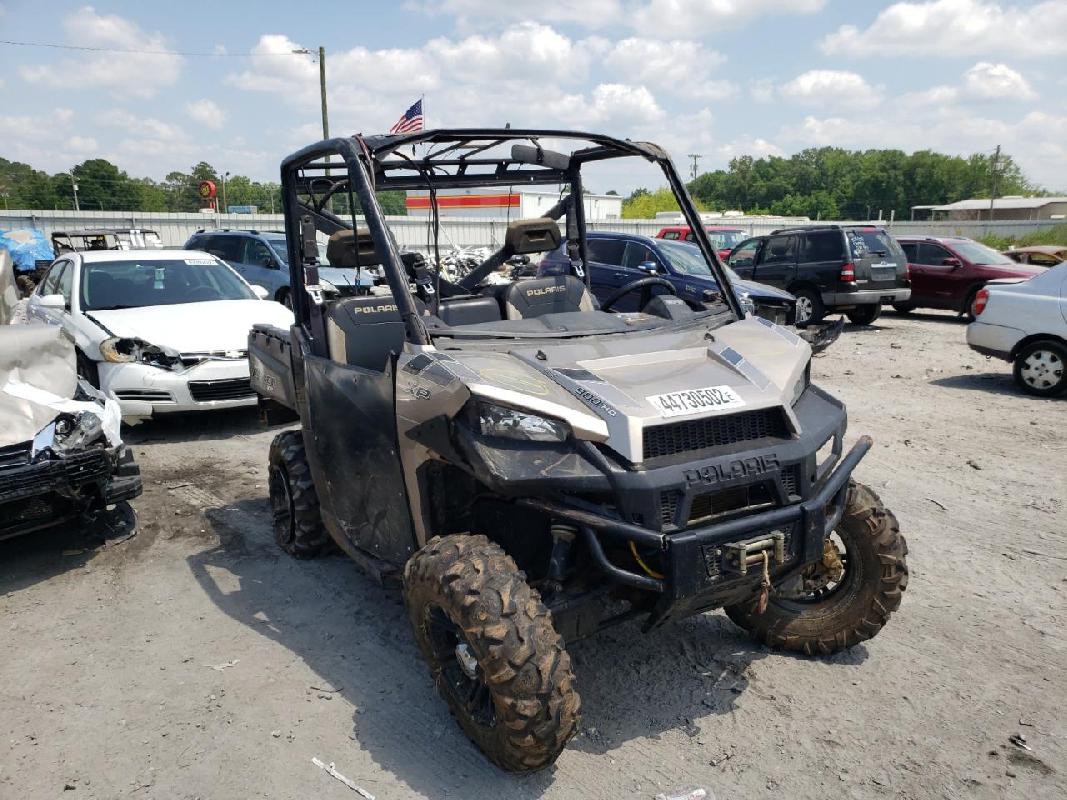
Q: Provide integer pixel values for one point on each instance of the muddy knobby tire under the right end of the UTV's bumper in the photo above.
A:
(877, 574)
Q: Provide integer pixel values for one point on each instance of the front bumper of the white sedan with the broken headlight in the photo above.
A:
(144, 391)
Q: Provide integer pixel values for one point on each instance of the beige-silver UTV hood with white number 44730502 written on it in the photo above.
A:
(609, 389)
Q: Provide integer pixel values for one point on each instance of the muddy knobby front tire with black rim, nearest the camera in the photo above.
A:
(520, 707)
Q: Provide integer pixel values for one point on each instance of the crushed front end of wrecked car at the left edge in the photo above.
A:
(61, 455)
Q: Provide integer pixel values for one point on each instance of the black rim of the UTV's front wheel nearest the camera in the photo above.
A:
(469, 695)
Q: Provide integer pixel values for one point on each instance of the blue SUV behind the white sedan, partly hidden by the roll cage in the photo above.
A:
(262, 259)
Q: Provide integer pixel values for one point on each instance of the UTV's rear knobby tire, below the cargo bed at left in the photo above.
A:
(295, 506)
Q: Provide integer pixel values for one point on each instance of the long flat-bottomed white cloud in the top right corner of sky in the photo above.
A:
(952, 28)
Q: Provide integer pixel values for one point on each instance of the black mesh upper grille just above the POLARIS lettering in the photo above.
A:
(702, 435)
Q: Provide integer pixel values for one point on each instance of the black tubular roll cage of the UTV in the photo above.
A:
(372, 165)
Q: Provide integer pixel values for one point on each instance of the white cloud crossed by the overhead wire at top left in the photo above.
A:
(125, 74)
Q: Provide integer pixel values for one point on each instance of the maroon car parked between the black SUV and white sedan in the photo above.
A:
(948, 271)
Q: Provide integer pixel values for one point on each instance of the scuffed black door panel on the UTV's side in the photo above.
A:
(351, 435)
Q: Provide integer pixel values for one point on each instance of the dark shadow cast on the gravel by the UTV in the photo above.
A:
(355, 635)
